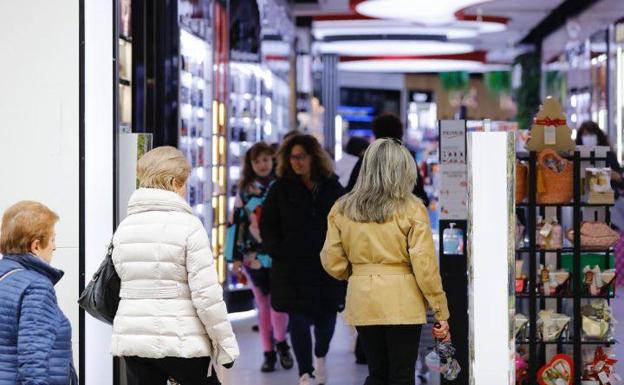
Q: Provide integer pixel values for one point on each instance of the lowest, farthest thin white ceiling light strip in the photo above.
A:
(418, 66)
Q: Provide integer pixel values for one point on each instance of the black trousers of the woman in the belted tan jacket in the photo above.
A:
(391, 351)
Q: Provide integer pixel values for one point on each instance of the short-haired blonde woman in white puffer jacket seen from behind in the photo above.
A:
(172, 321)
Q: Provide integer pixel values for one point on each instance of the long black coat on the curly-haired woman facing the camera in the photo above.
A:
(293, 229)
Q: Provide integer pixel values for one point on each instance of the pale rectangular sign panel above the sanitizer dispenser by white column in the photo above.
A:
(453, 176)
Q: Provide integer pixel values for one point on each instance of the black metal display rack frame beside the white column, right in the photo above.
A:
(536, 300)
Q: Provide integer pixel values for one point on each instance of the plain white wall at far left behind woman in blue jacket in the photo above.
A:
(39, 115)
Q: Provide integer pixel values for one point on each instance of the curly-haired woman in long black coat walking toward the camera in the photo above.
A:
(293, 228)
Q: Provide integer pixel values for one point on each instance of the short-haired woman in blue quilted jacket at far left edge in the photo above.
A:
(35, 335)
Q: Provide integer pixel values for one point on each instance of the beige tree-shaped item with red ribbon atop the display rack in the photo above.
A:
(550, 129)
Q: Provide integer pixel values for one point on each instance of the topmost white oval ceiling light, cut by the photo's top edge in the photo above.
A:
(422, 11)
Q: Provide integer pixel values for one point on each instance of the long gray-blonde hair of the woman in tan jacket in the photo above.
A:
(385, 183)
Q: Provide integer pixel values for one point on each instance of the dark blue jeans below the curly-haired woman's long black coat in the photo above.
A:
(301, 338)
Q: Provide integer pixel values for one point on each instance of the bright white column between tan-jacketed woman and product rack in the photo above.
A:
(491, 261)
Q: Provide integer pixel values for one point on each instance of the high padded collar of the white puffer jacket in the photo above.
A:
(153, 199)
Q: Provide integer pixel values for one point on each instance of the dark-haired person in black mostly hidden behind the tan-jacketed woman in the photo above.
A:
(390, 126)
